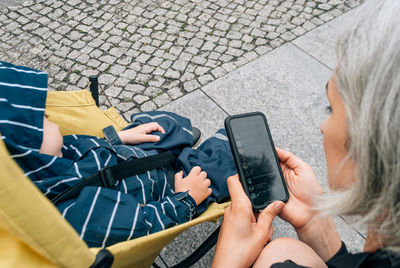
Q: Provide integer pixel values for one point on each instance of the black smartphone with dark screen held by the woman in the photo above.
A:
(256, 159)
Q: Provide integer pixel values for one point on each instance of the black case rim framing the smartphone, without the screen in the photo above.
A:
(236, 157)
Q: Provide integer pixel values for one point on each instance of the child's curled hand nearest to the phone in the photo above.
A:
(196, 183)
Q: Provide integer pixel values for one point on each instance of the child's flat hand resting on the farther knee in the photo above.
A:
(140, 134)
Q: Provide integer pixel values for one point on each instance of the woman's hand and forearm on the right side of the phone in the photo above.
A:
(317, 232)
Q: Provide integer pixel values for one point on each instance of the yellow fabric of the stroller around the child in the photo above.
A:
(33, 232)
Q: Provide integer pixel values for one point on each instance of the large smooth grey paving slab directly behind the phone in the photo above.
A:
(288, 86)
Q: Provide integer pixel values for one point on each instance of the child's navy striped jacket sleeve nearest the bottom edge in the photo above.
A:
(112, 216)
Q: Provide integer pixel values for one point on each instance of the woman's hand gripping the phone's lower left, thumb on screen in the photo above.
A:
(242, 237)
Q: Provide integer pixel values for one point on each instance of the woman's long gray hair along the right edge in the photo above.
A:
(368, 79)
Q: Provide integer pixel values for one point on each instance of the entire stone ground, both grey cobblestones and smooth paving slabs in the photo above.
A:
(202, 59)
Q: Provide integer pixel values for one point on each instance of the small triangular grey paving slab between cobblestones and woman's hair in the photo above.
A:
(321, 42)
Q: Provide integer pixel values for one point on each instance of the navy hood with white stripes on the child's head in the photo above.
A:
(23, 94)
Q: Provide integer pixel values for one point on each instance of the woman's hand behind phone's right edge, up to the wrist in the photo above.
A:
(303, 187)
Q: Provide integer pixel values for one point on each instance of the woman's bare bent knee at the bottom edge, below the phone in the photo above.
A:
(285, 248)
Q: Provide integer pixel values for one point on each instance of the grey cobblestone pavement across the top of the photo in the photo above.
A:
(150, 52)
